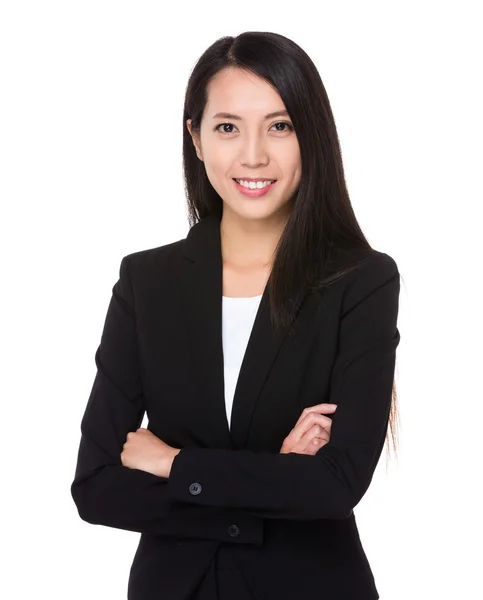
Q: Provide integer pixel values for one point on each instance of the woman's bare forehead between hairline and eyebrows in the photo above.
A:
(242, 93)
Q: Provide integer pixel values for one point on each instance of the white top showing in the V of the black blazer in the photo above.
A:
(238, 316)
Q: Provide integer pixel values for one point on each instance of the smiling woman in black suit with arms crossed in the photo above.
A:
(262, 348)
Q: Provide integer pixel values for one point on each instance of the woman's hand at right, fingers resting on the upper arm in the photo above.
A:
(311, 432)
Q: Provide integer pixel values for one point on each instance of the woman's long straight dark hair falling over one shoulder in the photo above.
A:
(322, 223)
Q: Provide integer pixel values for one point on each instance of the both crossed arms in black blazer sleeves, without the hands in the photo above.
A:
(208, 489)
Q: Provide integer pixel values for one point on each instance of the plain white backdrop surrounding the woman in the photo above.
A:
(90, 170)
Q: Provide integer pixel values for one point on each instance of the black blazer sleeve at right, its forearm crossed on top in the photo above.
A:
(331, 483)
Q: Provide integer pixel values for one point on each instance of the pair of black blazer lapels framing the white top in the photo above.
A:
(201, 278)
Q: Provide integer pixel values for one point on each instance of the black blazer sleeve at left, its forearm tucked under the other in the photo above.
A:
(104, 490)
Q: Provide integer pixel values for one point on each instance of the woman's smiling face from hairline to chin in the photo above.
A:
(248, 145)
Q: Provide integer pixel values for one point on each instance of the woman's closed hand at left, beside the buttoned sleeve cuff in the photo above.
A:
(143, 450)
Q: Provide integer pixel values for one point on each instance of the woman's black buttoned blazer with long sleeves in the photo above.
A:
(287, 517)
